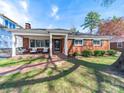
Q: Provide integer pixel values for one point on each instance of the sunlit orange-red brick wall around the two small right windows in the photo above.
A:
(87, 45)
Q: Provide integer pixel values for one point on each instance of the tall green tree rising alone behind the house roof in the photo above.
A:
(91, 21)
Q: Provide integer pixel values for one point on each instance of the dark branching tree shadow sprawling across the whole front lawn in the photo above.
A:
(76, 64)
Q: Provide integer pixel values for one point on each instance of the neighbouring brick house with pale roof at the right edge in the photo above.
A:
(117, 43)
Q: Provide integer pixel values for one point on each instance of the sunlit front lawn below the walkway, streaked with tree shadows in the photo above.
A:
(87, 75)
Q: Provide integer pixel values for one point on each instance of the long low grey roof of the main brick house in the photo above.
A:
(57, 30)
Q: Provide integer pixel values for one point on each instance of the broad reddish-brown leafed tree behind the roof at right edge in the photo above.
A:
(115, 26)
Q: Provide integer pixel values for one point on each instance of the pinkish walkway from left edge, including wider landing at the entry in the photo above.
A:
(56, 59)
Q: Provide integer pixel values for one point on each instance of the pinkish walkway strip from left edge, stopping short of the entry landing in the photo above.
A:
(27, 67)
